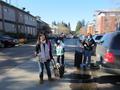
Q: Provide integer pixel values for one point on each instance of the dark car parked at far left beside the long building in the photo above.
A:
(7, 41)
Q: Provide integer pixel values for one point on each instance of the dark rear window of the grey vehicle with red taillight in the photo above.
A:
(115, 44)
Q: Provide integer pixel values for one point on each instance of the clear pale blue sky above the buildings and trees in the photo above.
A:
(66, 10)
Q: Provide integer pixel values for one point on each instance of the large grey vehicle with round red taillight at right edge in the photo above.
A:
(108, 52)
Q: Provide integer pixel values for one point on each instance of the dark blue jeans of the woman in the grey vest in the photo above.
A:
(47, 65)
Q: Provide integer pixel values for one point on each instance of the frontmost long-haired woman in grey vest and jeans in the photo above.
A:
(43, 50)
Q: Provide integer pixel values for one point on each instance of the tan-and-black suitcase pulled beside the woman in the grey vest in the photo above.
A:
(57, 69)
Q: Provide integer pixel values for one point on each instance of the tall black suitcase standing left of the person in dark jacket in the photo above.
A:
(78, 59)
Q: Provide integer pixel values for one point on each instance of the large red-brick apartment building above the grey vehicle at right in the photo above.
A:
(107, 21)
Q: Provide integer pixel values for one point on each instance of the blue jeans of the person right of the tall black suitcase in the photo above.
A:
(87, 57)
